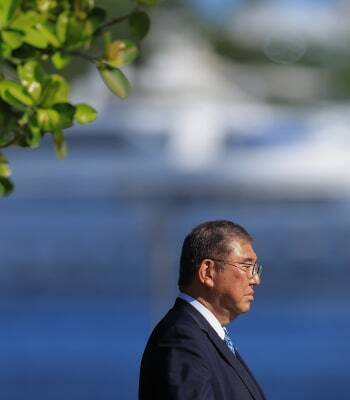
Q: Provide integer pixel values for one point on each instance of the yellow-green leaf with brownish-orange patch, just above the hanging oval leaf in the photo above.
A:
(120, 52)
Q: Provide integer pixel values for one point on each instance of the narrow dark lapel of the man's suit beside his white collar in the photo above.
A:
(236, 362)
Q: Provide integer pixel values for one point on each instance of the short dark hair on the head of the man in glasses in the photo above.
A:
(210, 239)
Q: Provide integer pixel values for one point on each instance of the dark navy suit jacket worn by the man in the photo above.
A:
(185, 359)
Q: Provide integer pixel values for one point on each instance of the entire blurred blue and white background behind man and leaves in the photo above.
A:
(240, 110)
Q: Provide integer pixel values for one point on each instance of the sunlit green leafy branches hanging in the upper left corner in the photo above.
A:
(41, 36)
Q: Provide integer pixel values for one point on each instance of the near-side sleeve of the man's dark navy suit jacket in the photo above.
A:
(183, 367)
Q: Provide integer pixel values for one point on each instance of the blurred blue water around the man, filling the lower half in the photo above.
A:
(81, 297)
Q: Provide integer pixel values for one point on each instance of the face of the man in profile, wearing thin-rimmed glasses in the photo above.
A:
(233, 286)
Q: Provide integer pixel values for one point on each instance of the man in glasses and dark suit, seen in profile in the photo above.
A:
(189, 355)
